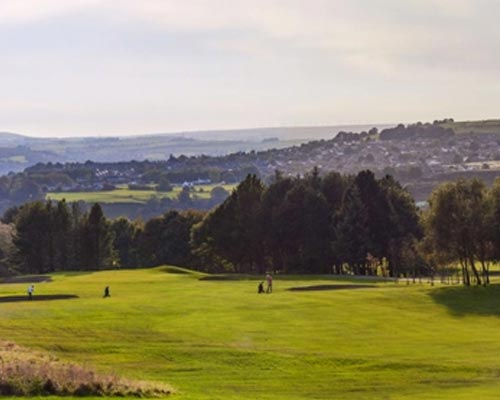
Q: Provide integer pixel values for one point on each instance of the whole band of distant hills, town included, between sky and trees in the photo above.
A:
(419, 155)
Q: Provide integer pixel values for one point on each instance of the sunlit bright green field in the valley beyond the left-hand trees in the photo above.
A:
(124, 195)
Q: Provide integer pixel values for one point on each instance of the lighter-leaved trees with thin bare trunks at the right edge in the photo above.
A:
(462, 229)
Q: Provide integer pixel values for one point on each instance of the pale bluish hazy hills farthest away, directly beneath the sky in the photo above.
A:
(18, 152)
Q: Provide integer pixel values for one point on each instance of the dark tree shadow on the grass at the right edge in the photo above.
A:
(463, 300)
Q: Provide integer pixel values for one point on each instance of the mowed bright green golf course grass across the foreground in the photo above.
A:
(221, 340)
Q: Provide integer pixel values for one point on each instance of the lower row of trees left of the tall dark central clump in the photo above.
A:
(56, 236)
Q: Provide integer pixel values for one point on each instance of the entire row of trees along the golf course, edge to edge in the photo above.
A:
(319, 224)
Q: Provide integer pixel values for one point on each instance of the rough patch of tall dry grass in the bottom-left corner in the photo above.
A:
(27, 373)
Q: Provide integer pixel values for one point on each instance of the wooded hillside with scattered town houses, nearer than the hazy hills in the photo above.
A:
(419, 156)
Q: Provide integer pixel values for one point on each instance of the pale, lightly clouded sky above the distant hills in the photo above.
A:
(122, 67)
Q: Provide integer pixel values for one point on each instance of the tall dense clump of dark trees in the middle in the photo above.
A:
(315, 224)
